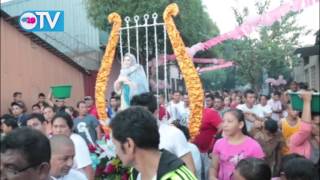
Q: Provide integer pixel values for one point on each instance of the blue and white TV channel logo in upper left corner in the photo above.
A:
(42, 21)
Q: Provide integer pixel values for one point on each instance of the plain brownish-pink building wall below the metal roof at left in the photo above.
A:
(30, 65)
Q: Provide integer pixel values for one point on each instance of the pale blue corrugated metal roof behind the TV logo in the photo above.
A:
(79, 40)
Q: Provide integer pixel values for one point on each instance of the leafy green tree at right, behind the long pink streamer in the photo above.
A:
(272, 49)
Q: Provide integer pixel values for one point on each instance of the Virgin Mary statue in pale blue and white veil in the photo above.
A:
(131, 81)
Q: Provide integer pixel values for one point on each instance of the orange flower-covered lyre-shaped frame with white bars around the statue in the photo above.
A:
(189, 72)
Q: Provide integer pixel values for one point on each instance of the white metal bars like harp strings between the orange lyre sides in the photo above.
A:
(147, 23)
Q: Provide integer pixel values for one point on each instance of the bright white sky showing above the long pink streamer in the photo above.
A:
(221, 13)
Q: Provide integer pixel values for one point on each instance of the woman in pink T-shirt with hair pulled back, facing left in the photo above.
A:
(235, 145)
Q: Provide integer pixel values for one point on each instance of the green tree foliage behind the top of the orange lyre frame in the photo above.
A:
(193, 21)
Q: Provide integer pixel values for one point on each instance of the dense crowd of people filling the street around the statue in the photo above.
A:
(243, 136)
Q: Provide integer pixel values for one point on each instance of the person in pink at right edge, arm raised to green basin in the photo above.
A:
(306, 141)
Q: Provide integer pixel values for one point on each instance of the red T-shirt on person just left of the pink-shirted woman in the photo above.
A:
(209, 127)
